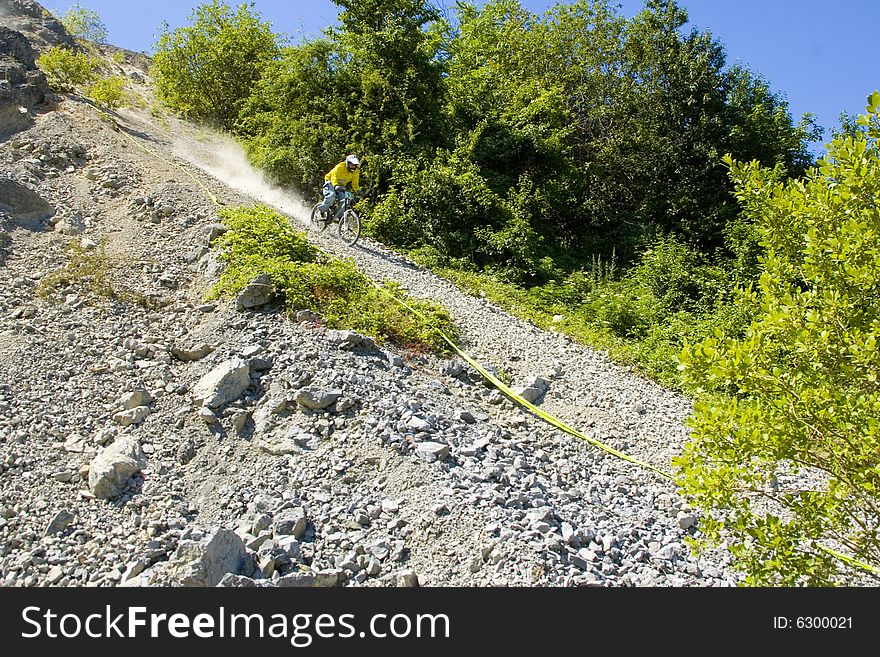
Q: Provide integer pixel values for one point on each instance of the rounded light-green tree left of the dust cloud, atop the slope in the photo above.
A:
(206, 70)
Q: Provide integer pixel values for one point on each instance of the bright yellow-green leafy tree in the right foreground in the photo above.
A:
(798, 394)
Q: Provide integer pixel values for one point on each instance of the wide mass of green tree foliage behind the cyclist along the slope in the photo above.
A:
(569, 131)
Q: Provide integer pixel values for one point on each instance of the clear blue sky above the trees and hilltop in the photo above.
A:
(821, 55)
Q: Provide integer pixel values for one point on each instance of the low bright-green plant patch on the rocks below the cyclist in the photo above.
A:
(261, 241)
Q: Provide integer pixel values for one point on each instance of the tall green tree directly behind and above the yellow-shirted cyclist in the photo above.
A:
(374, 86)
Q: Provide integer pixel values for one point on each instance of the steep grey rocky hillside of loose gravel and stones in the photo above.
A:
(148, 437)
